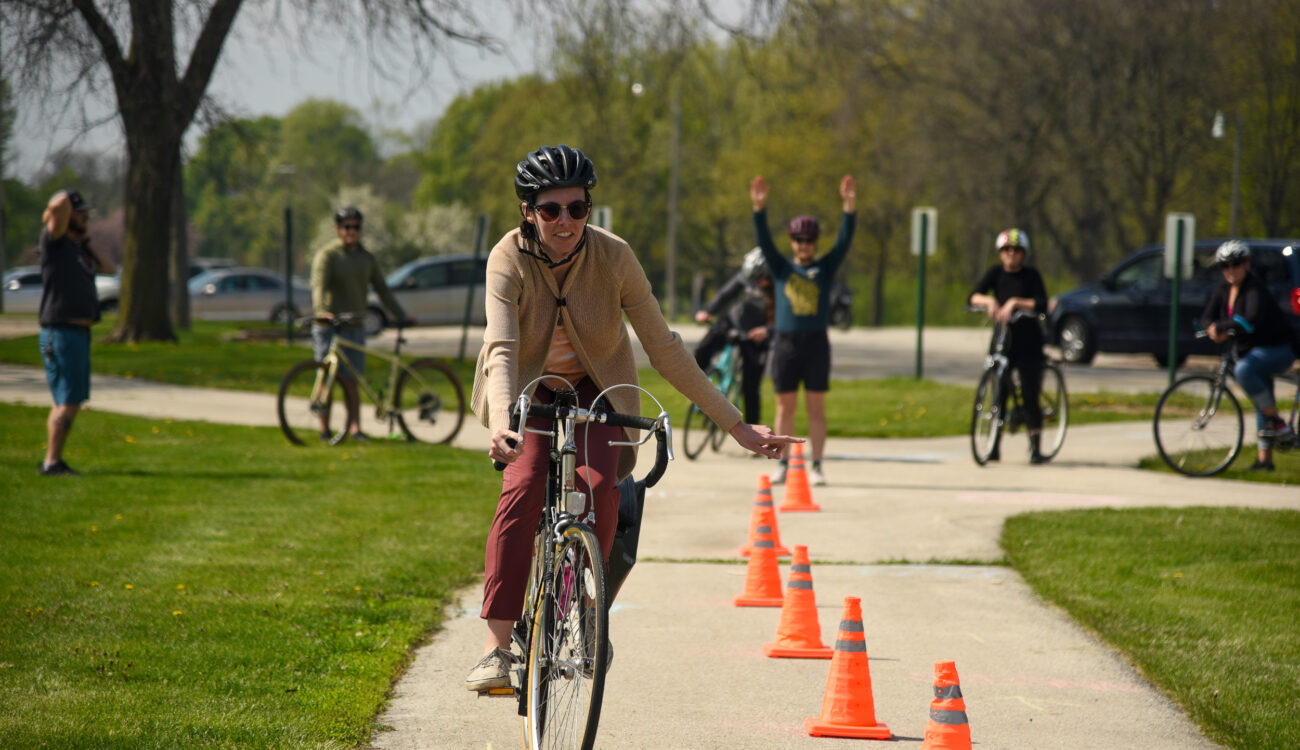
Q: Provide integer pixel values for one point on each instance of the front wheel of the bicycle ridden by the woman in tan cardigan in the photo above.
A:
(569, 648)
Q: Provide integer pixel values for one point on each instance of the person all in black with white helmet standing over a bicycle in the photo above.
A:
(1017, 287)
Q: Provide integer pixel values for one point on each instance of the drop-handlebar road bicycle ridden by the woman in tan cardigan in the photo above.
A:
(564, 636)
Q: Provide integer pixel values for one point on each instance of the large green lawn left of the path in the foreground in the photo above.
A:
(211, 587)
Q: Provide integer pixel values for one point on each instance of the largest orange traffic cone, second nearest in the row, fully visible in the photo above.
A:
(848, 709)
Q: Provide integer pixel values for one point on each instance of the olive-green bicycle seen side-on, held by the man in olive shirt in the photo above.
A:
(421, 401)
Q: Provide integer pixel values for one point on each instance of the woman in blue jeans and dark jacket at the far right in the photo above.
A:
(1245, 307)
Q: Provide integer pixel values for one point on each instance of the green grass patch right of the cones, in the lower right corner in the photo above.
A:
(1203, 601)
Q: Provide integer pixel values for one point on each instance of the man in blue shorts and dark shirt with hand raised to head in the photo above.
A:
(70, 306)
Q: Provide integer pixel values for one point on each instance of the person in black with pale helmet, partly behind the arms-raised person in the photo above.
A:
(752, 315)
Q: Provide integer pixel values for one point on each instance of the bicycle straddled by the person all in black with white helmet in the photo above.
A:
(1000, 406)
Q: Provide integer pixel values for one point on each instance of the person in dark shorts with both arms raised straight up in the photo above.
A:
(801, 349)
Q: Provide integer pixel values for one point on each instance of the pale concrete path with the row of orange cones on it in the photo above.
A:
(690, 673)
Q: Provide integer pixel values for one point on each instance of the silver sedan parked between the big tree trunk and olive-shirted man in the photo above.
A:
(246, 294)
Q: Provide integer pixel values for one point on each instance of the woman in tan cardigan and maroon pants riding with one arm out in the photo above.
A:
(557, 294)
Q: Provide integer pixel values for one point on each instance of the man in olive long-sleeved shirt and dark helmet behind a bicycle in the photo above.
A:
(343, 272)
